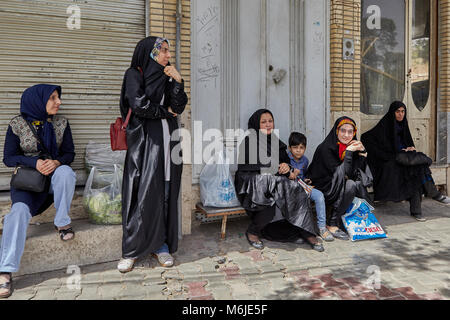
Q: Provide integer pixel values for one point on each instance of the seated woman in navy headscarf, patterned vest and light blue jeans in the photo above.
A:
(38, 107)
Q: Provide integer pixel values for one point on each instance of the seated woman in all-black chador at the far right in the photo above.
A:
(392, 180)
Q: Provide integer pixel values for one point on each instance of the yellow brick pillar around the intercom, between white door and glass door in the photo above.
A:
(345, 74)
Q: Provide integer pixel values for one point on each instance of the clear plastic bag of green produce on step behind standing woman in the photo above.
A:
(103, 202)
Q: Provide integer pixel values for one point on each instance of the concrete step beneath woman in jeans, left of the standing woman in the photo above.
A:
(45, 251)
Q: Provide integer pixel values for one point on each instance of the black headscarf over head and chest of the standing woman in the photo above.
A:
(154, 77)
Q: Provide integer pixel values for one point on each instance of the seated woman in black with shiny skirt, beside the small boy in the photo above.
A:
(278, 207)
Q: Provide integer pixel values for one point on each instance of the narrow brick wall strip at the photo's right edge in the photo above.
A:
(444, 62)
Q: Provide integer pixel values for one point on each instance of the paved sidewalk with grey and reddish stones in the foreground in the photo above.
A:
(412, 263)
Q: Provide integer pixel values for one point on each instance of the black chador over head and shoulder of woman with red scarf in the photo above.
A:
(326, 157)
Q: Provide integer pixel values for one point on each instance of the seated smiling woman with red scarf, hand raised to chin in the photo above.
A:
(339, 170)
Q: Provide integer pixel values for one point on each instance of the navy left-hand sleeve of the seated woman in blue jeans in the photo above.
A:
(13, 154)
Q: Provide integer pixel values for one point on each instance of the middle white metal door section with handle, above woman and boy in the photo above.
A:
(265, 60)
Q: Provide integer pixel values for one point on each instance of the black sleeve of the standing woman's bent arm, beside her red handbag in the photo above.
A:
(140, 104)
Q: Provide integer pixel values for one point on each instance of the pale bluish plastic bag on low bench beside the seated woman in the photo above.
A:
(216, 185)
